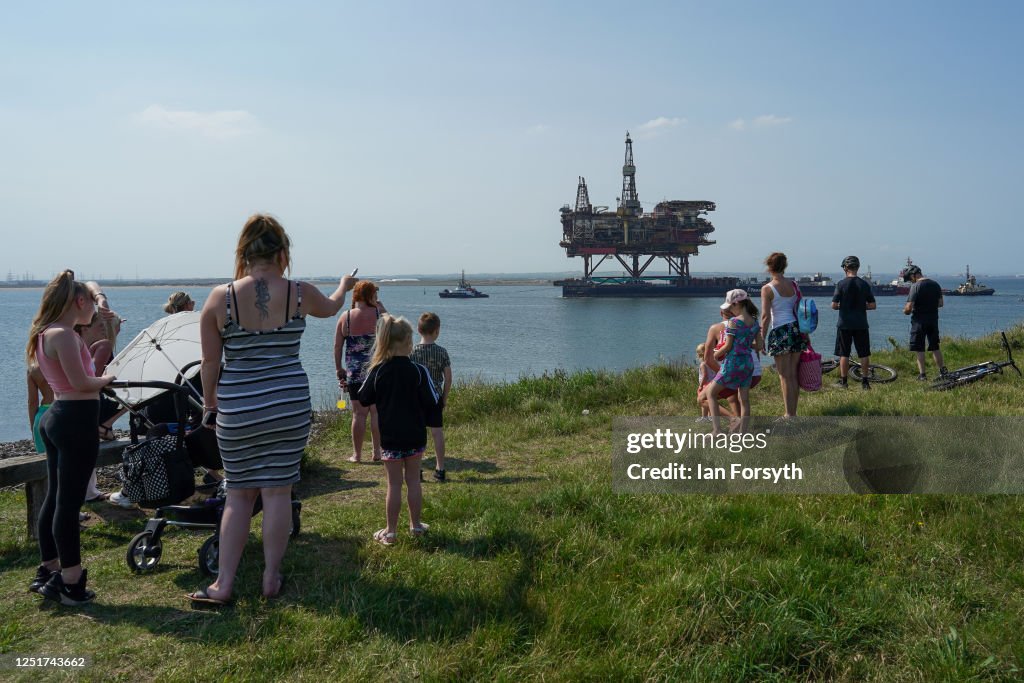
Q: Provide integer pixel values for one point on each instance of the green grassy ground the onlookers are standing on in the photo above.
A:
(535, 570)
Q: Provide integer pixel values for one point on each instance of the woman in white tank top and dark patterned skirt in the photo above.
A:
(784, 340)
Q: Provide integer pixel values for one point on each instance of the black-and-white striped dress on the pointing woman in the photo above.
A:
(264, 411)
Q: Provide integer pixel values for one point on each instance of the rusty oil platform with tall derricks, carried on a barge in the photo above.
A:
(673, 233)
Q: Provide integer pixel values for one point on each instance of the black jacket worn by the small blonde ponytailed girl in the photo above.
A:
(406, 400)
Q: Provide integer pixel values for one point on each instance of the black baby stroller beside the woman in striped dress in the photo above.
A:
(159, 472)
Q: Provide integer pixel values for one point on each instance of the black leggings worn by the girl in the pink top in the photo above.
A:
(69, 431)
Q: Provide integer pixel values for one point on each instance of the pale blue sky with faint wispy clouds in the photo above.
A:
(433, 137)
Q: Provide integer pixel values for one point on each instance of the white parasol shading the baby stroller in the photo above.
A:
(164, 352)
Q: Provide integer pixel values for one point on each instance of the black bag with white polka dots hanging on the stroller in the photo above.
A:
(157, 472)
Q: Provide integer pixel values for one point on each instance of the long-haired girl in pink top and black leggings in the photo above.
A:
(69, 433)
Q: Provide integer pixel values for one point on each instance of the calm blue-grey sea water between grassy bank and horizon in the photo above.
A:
(520, 330)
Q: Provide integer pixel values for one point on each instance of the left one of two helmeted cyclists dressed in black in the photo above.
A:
(854, 298)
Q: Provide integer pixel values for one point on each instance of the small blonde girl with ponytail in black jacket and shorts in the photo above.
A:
(407, 404)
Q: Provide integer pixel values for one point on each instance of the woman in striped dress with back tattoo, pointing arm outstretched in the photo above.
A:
(261, 401)
